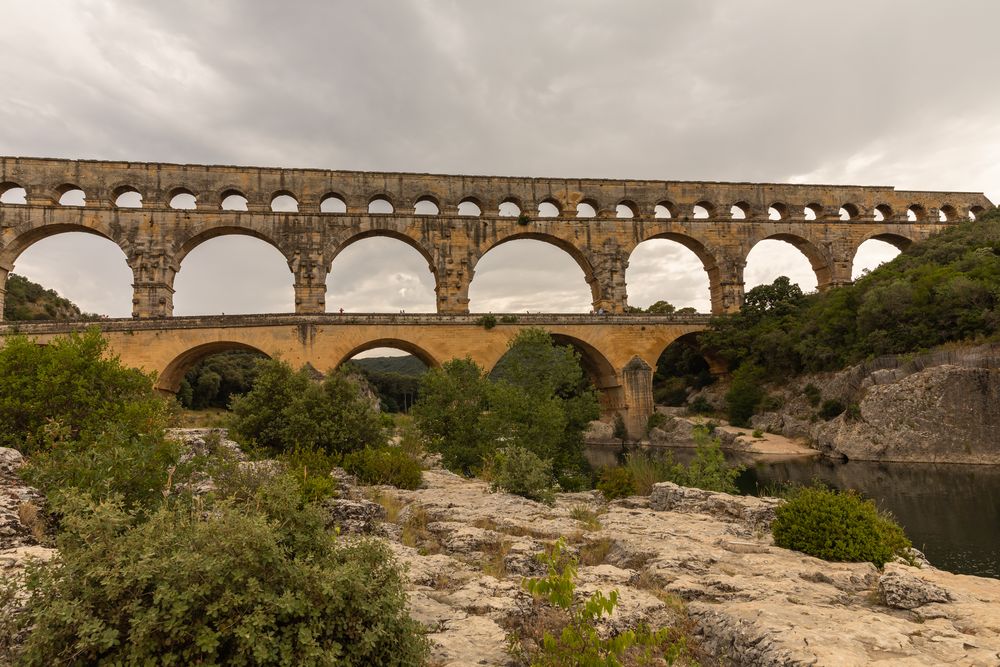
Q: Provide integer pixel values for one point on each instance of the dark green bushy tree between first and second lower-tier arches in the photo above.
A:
(288, 409)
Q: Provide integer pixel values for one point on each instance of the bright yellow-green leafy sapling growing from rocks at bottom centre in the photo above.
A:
(579, 644)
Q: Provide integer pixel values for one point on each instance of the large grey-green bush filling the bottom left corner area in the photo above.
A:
(233, 586)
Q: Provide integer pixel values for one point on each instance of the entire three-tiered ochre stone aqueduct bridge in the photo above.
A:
(431, 213)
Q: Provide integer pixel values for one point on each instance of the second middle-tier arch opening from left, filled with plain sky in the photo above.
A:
(233, 273)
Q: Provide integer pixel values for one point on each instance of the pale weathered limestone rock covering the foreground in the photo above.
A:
(698, 561)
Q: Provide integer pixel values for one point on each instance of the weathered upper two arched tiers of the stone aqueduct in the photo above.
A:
(156, 237)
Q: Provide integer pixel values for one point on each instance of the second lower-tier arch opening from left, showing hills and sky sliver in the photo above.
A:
(393, 369)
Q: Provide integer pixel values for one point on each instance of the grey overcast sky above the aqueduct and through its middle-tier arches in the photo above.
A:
(858, 92)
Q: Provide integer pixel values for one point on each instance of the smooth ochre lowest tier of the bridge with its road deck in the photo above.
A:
(618, 352)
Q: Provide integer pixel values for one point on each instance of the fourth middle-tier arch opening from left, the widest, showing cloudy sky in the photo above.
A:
(528, 274)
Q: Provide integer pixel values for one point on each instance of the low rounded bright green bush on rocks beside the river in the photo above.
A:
(837, 526)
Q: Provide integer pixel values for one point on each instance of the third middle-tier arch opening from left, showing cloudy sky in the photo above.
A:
(380, 274)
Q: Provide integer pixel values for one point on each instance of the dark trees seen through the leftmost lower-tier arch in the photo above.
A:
(213, 381)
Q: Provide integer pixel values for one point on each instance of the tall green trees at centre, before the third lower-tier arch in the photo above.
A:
(536, 398)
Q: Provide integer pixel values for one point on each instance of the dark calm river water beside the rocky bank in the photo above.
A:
(951, 512)
